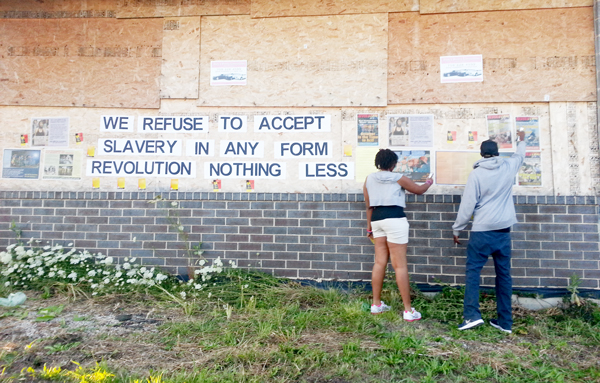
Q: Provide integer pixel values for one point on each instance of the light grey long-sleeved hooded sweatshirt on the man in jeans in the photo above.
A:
(488, 194)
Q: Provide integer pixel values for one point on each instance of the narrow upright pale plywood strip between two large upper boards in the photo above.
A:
(180, 57)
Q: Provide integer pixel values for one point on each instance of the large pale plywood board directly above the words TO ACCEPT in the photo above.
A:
(300, 61)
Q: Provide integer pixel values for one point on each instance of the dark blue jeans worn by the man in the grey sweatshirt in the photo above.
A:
(481, 245)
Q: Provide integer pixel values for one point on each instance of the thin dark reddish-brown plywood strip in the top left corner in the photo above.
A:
(34, 9)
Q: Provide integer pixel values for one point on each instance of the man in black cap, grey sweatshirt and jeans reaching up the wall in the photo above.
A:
(488, 197)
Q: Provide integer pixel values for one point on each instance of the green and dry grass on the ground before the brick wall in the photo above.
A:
(250, 327)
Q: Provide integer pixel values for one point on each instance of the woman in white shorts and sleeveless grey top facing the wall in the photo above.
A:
(387, 225)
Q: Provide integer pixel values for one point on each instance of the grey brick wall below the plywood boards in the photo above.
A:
(308, 235)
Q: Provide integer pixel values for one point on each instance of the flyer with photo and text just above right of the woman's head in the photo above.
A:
(415, 130)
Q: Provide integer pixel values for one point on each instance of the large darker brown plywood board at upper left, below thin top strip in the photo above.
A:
(80, 62)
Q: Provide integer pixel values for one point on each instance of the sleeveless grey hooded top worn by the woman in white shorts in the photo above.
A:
(384, 189)
